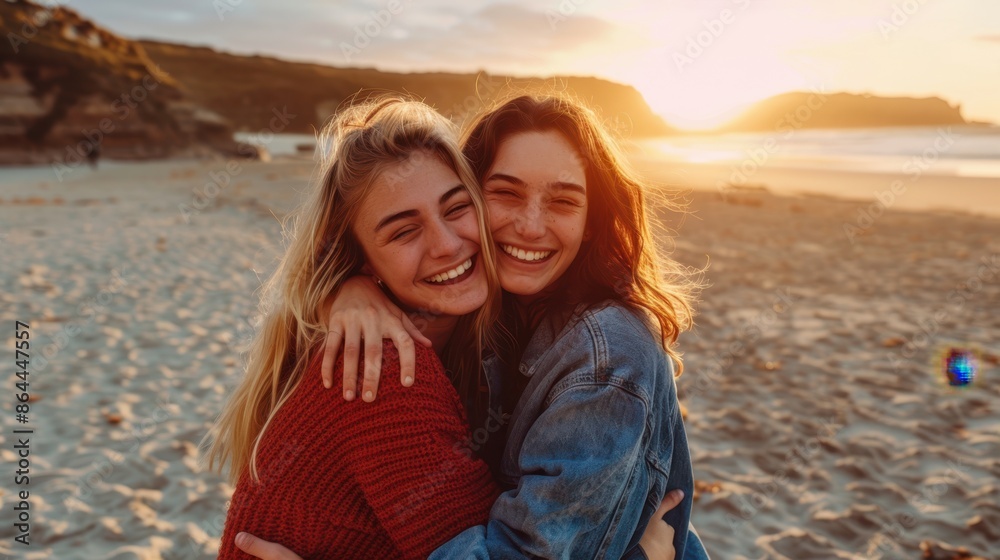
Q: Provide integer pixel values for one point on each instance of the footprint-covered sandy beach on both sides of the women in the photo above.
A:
(819, 424)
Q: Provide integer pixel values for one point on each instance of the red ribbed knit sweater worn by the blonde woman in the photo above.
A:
(388, 479)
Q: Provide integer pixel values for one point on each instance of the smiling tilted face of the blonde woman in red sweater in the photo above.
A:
(420, 235)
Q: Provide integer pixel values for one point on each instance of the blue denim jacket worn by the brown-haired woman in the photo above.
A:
(595, 442)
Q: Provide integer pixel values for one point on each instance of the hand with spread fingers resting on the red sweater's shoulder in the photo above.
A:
(361, 313)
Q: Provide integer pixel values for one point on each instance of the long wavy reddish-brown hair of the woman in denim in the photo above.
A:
(619, 260)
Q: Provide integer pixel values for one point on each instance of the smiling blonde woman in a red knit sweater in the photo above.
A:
(395, 200)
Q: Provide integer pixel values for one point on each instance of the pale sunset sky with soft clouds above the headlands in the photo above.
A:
(697, 62)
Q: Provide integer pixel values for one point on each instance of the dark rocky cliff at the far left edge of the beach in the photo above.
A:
(69, 87)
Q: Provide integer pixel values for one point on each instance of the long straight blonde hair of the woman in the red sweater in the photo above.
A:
(358, 145)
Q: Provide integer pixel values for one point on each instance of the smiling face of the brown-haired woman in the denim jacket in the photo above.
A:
(536, 191)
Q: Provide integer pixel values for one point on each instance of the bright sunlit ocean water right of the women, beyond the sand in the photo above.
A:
(961, 151)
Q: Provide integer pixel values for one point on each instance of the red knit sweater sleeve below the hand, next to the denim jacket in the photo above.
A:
(411, 458)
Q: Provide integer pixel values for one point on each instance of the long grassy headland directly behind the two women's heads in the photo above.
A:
(247, 89)
